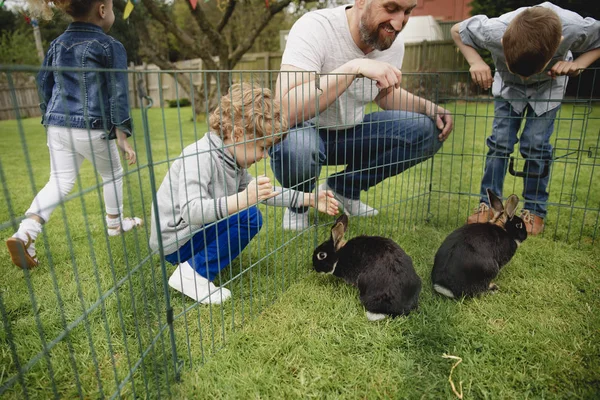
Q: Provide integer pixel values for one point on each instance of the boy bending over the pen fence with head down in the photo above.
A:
(531, 48)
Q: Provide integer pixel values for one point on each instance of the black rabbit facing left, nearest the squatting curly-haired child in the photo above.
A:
(382, 271)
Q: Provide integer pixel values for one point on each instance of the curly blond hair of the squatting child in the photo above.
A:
(249, 111)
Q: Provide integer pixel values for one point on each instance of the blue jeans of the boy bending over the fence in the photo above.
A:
(535, 148)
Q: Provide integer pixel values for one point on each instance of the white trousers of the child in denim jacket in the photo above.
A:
(68, 148)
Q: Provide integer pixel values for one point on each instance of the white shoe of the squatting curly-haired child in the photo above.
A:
(187, 281)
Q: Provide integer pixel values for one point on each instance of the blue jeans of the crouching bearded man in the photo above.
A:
(383, 145)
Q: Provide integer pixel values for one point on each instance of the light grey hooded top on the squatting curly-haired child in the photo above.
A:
(194, 192)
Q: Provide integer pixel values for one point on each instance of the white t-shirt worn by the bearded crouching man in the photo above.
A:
(320, 41)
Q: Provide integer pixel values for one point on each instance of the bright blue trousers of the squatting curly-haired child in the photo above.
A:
(213, 248)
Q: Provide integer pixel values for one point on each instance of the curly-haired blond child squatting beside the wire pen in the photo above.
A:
(207, 202)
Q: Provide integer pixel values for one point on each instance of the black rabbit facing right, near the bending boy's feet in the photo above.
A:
(471, 256)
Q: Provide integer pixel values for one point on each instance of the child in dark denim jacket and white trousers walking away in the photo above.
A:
(83, 111)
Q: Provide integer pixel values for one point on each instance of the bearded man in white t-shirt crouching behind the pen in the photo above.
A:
(357, 58)
